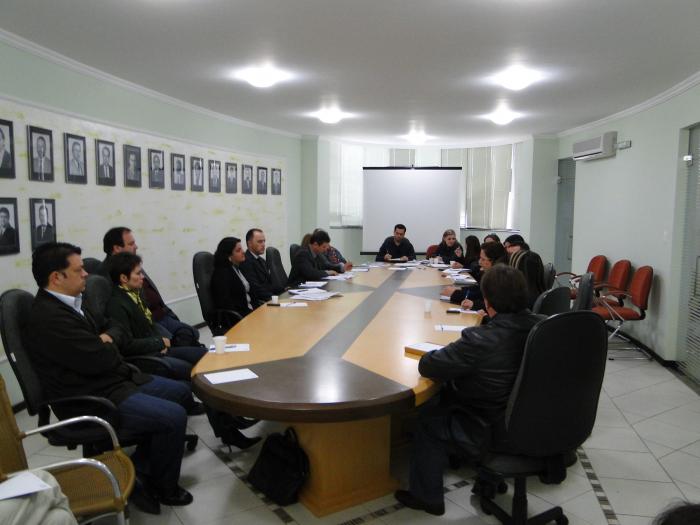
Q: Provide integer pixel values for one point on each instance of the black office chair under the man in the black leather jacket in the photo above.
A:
(551, 410)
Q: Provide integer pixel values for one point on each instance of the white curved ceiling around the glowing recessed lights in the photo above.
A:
(391, 61)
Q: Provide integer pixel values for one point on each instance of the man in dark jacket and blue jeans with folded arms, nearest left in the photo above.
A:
(76, 352)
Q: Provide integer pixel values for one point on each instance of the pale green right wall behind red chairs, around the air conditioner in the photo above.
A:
(632, 206)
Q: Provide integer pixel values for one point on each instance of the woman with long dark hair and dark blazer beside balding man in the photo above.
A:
(229, 288)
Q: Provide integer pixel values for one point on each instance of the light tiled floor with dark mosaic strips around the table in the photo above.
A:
(645, 451)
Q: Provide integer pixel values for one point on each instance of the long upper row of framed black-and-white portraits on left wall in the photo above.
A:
(41, 165)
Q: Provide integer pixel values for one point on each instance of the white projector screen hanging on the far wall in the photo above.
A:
(426, 200)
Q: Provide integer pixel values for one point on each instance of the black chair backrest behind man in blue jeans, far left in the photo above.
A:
(15, 306)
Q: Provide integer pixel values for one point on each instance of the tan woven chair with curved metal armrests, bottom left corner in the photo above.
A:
(94, 487)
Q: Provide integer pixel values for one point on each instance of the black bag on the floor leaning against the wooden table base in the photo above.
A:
(281, 469)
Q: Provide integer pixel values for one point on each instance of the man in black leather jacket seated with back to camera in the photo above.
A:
(478, 372)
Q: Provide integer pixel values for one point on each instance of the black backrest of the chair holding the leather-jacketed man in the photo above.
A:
(553, 405)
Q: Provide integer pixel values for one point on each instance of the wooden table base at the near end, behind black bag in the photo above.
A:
(349, 463)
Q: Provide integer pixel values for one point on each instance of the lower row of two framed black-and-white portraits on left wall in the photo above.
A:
(42, 217)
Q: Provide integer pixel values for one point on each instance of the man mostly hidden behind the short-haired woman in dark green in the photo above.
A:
(121, 239)
